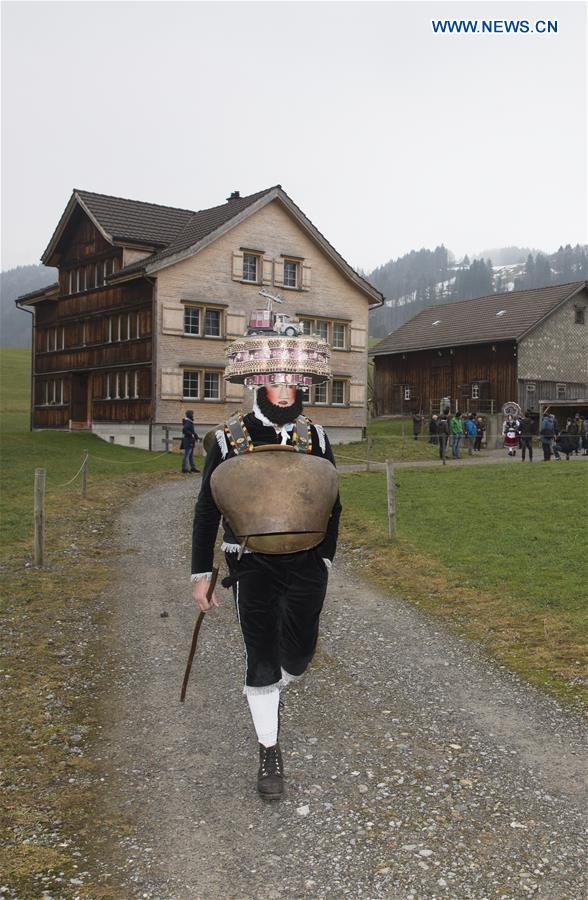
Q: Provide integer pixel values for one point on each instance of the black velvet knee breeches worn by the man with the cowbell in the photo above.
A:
(279, 600)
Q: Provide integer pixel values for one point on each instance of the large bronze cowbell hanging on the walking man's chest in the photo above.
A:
(275, 499)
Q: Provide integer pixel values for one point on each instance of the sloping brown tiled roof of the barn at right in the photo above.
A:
(498, 317)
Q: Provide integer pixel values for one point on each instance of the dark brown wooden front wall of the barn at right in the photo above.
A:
(476, 378)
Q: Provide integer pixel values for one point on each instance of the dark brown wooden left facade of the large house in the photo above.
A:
(92, 343)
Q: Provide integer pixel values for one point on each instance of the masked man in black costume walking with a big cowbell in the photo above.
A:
(279, 592)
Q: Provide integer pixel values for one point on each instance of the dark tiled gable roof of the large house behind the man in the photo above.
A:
(174, 234)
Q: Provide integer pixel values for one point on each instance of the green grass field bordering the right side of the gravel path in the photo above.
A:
(497, 551)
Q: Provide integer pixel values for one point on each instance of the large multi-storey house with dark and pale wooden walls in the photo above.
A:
(149, 296)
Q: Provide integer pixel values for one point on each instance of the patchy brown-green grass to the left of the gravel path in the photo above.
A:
(55, 665)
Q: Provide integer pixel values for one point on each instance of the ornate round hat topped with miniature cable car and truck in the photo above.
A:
(275, 351)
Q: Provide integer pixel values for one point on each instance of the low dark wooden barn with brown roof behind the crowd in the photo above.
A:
(526, 346)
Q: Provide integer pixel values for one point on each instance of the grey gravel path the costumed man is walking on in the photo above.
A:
(416, 768)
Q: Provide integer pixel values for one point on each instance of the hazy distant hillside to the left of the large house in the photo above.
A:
(15, 325)
